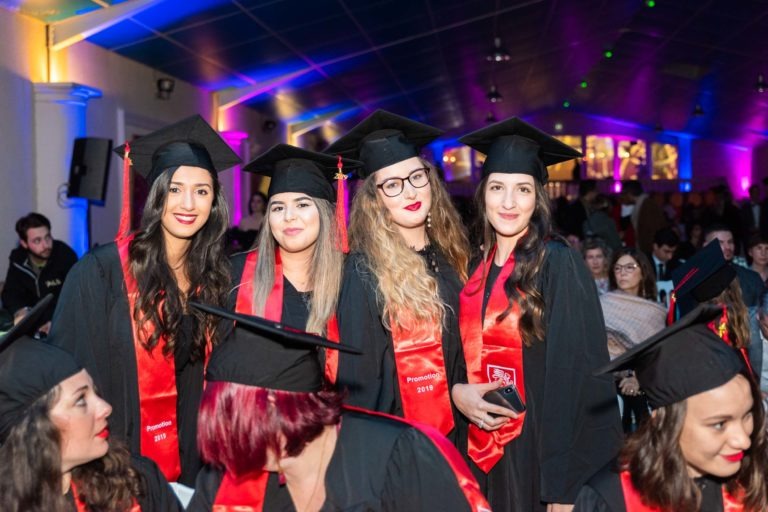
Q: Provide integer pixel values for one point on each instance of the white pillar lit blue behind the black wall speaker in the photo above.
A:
(59, 120)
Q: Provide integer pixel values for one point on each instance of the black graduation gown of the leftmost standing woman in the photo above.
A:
(92, 321)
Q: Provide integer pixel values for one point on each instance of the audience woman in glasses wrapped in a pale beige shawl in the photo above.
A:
(631, 315)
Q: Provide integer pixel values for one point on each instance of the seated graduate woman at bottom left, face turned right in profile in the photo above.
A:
(55, 451)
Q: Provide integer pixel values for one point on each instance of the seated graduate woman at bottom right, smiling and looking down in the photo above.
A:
(704, 448)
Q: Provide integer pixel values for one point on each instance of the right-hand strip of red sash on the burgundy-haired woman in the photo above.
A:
(464, 478)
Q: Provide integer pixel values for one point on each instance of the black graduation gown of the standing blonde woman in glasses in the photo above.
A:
(371, 378)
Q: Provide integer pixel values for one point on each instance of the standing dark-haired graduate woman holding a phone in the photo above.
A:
(530, 318)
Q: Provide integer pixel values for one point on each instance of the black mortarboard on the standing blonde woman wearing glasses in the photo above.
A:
(383, 139)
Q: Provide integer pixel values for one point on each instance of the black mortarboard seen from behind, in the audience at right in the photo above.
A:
(703, 277)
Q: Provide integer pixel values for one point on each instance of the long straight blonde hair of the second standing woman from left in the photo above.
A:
(324, 272)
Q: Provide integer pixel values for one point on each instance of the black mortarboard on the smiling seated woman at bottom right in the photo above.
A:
(680, 361)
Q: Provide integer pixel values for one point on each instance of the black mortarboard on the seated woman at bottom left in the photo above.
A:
(28, 368)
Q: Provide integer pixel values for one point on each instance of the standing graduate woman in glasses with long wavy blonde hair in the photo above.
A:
(399, 296)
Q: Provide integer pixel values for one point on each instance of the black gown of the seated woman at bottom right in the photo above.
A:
(603, 493)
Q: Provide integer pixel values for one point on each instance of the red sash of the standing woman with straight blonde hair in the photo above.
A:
(273, 309)
